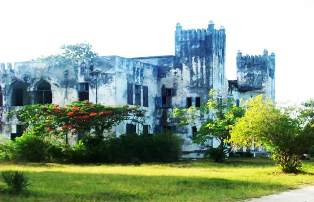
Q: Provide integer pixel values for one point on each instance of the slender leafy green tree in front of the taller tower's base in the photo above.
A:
(222, 113)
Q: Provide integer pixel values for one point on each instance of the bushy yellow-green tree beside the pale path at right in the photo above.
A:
(286, 133)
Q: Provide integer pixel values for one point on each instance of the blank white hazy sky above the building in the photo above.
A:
(29, 29)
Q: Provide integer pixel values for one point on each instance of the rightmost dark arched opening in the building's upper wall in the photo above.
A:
(43, 94)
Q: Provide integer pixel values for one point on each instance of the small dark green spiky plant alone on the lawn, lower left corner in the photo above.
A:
(16, 181)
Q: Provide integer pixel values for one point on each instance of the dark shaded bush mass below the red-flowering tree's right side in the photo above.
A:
(131, 148)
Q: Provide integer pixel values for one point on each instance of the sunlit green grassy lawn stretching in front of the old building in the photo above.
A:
(185, 181)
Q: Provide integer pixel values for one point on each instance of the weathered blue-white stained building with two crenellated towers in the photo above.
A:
(158, 83)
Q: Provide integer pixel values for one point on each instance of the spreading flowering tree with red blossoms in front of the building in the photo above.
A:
(82, 118)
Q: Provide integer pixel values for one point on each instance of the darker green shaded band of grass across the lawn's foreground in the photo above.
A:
(59, 186)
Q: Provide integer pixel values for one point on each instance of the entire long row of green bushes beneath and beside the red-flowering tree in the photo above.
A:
(131, 148)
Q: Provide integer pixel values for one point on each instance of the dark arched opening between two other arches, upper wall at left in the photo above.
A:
(19, 94)
